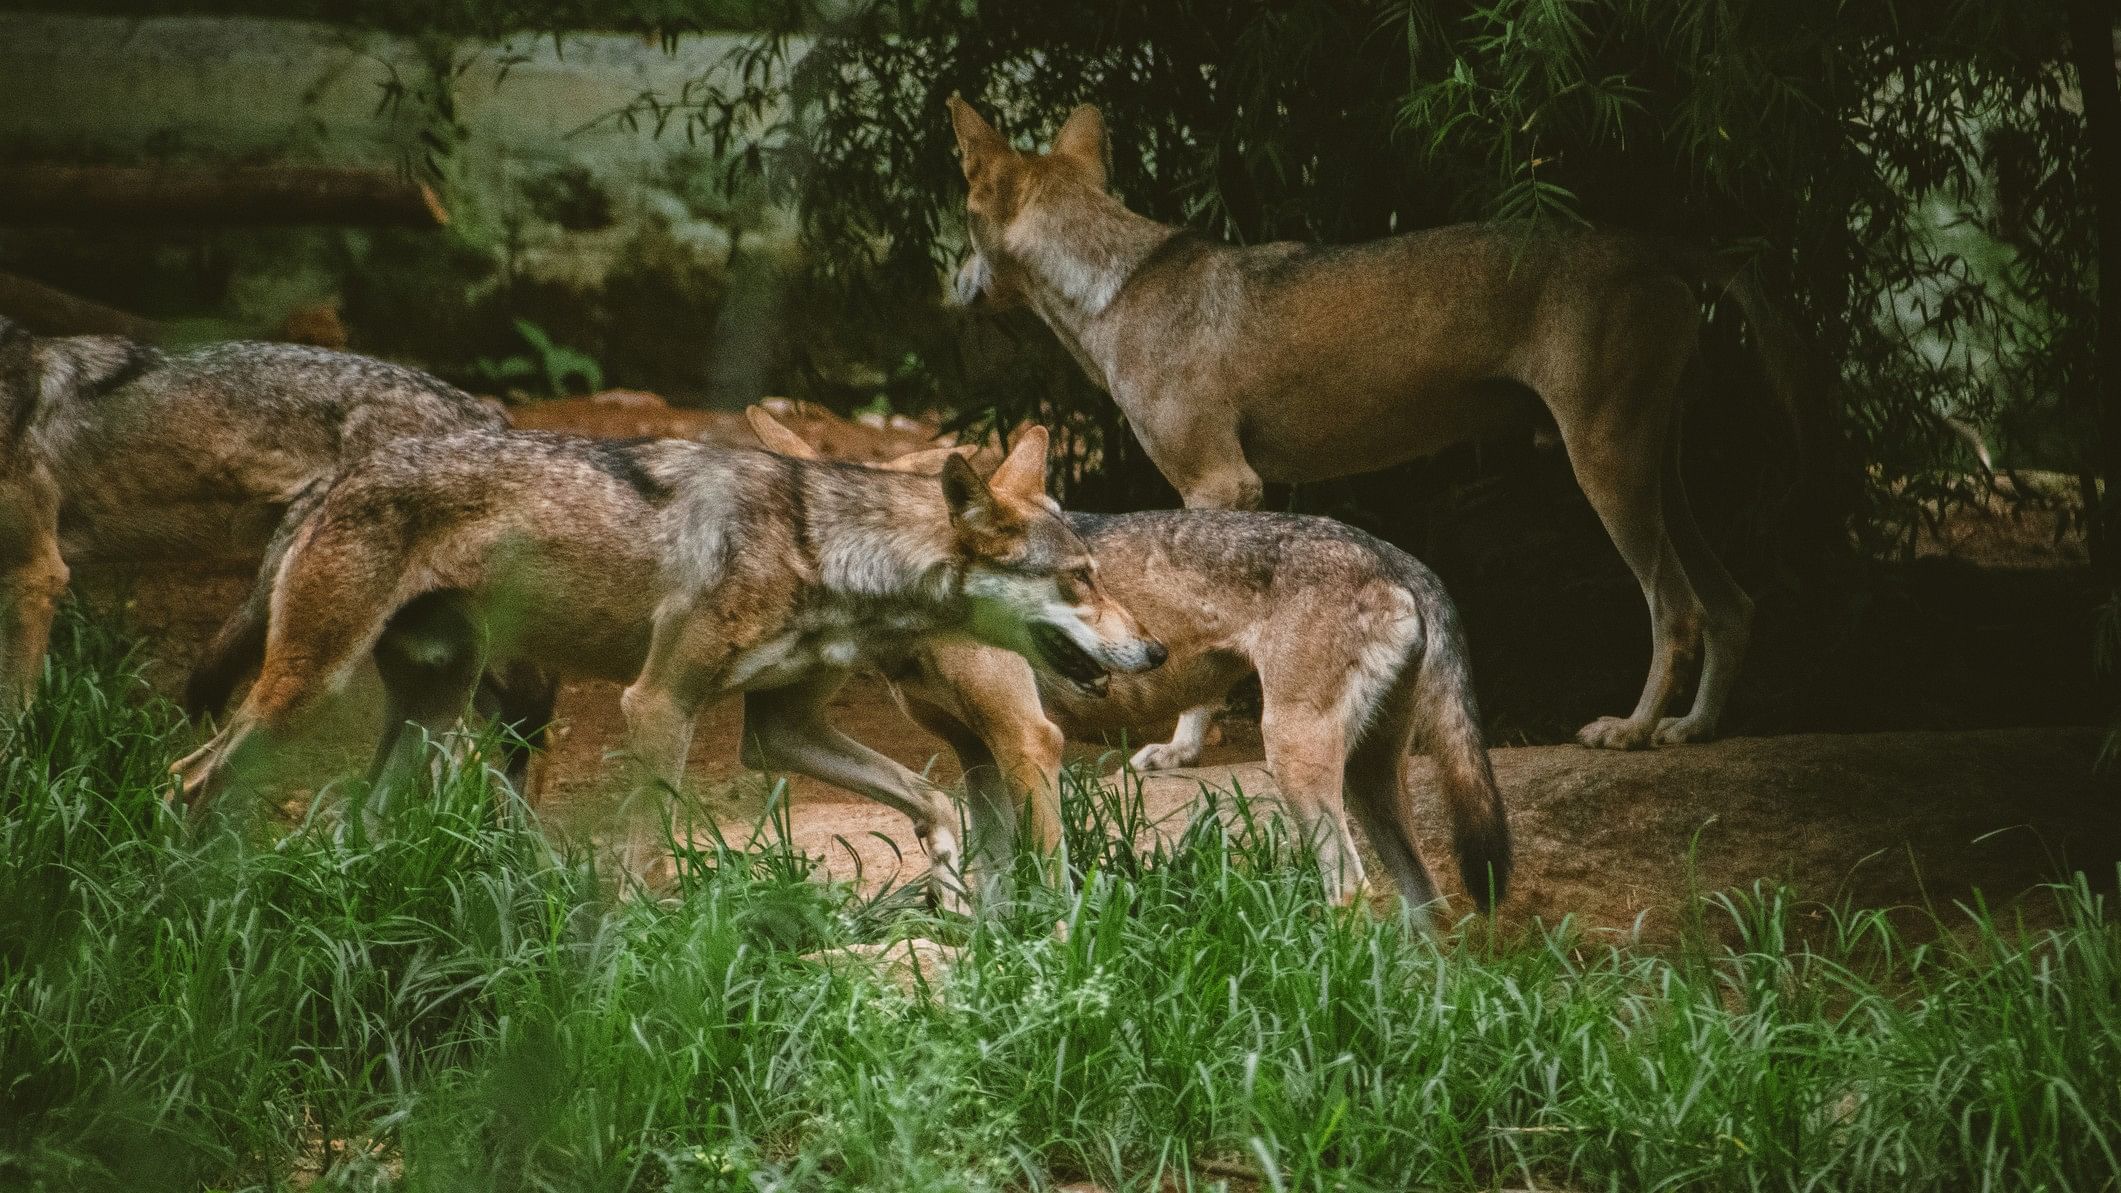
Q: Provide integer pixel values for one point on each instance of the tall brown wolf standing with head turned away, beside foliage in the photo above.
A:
(1291, 364)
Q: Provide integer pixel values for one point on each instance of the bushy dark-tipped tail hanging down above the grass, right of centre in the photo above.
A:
(1450, 716)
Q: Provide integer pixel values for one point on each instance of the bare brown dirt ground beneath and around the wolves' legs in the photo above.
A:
(1908, 818)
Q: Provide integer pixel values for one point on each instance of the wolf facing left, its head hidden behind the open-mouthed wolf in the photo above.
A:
(1359, 655)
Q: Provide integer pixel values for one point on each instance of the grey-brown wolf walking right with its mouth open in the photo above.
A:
(684, 570)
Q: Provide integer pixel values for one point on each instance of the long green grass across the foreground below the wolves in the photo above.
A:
(457, 1005)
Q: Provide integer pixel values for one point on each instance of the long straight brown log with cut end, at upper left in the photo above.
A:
(150, 196)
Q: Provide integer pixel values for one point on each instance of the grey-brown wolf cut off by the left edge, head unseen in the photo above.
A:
(118, 451)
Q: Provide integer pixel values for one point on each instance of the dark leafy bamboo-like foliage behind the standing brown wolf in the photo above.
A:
(1908, 181)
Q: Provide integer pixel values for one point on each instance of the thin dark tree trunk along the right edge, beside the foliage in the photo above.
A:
(2092, 52)
